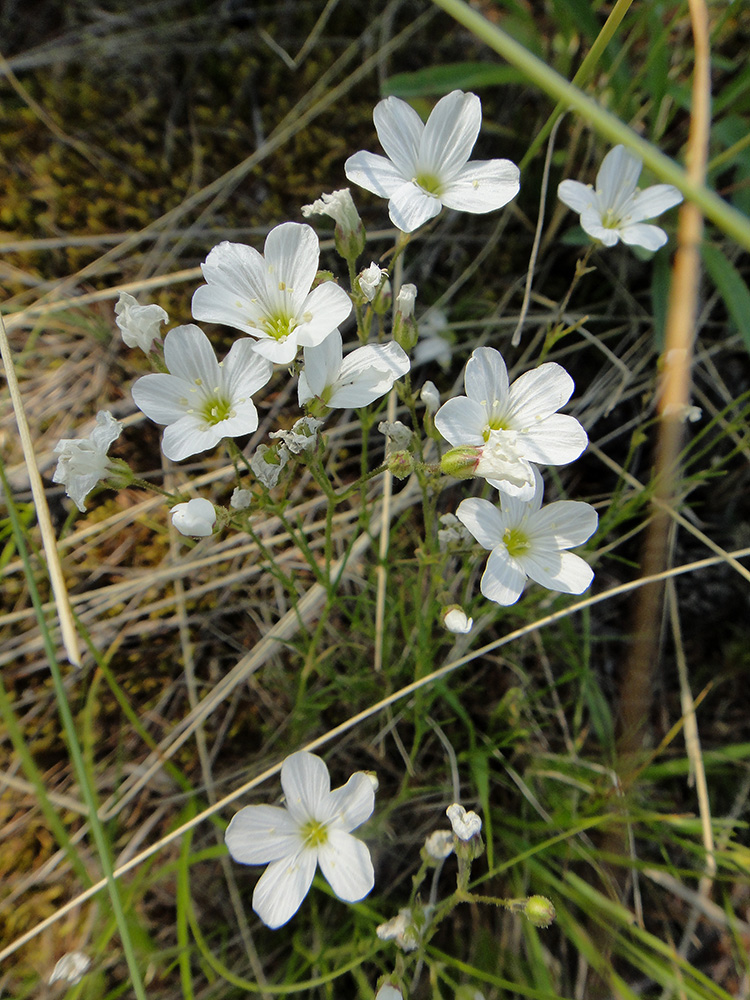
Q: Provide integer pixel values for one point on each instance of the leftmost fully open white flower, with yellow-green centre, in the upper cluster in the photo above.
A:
(202, 401)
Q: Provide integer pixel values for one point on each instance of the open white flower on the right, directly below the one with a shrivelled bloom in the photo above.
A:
(528, 540)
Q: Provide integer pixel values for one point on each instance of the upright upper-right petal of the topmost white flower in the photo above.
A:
(449, 135)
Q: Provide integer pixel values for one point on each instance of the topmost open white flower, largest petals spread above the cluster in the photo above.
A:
(427, 165)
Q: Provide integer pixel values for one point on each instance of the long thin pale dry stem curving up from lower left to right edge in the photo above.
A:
(354, 721)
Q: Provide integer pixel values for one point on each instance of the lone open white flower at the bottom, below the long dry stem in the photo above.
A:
(313, 829)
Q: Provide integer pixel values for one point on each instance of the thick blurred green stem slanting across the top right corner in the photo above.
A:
(727, 218)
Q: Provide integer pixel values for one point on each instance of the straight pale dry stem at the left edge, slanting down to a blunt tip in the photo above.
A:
(49, 541)
